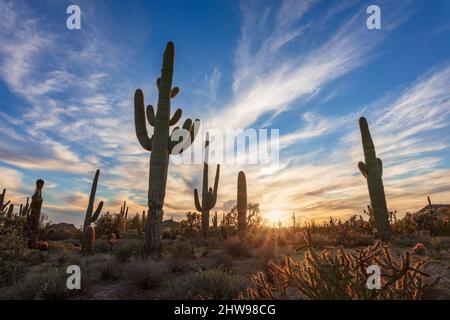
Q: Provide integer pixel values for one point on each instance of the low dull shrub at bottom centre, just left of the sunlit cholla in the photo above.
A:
(209, 284)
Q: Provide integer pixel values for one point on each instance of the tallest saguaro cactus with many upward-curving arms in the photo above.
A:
(161, 145)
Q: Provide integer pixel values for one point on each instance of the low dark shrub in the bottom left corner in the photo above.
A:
(48, 284)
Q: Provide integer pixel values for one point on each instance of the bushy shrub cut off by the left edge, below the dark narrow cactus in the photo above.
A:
(13, 256)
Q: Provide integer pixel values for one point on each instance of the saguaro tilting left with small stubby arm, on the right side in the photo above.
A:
(372, 170)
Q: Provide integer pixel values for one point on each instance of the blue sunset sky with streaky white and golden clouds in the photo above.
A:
(308, 68)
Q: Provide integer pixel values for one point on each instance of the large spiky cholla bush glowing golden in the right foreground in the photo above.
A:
(341, 276)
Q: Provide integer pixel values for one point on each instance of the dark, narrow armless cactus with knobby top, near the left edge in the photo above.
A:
(34, 217)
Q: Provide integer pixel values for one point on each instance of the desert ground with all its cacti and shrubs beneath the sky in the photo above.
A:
(232, 255)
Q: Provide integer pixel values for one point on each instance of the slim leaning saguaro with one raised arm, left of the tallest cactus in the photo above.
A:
(90, 217)
